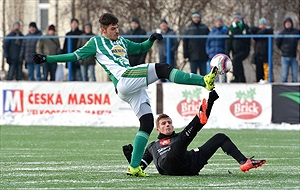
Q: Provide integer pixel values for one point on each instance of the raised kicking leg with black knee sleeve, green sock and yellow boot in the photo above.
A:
(163, 70)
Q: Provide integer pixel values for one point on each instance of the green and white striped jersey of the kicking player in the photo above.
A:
(112, 55)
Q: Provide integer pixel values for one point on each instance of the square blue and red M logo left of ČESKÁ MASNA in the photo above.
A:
(13, 101)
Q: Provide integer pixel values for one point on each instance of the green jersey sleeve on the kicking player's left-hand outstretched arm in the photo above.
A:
(88, 50)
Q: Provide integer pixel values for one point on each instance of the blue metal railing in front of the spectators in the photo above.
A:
(168, 44)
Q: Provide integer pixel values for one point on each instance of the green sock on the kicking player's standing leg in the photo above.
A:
(139, 145)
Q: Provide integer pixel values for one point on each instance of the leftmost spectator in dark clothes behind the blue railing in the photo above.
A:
(12, 48)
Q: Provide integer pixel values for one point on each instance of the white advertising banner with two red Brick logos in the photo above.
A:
(238, 106)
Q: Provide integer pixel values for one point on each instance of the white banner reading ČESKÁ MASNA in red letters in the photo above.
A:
(69, 103)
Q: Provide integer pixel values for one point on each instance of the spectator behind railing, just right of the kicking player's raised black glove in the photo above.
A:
(162, 45)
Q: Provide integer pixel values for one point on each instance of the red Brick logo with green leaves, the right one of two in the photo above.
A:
(246, 107)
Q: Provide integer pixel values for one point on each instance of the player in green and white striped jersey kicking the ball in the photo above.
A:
(111, 51)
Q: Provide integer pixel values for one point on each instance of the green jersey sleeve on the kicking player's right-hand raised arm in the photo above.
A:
(136, 48)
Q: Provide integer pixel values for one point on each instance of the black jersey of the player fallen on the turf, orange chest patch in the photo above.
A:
(161, 152)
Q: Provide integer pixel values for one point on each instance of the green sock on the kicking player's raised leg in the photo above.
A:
(181, 77)
